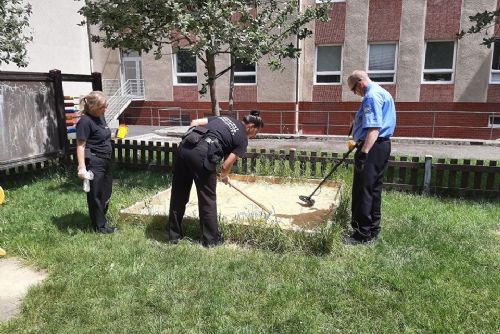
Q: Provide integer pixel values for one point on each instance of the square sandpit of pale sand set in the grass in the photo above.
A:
(280, 195)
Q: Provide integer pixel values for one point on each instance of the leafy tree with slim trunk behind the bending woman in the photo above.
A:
(246, 29)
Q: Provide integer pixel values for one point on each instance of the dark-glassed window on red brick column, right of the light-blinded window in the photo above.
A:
(439, 62)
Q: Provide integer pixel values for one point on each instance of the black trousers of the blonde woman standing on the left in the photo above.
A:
(100, 190)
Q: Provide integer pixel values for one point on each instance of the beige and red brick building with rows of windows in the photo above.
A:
(443, 87)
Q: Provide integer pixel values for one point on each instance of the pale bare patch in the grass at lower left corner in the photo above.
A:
(15, 280)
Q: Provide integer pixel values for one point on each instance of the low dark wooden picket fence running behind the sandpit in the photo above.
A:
(414, 174)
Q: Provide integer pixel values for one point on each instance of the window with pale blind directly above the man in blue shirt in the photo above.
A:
(382, 62)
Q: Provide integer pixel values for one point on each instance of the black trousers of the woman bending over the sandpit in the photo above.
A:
(188, 168)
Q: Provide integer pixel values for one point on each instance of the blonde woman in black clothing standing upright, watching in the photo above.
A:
(93, 152)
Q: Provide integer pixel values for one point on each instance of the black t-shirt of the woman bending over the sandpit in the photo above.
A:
(231, 134)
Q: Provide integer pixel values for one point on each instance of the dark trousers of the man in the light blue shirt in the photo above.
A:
(367, 192)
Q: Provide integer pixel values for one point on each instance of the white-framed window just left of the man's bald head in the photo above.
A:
(328, 64)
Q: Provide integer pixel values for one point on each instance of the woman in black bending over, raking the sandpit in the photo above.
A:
(208, 141)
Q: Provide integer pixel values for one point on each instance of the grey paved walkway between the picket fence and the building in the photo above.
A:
(420, 147)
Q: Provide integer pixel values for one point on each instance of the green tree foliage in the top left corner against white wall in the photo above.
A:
(14, 21)
